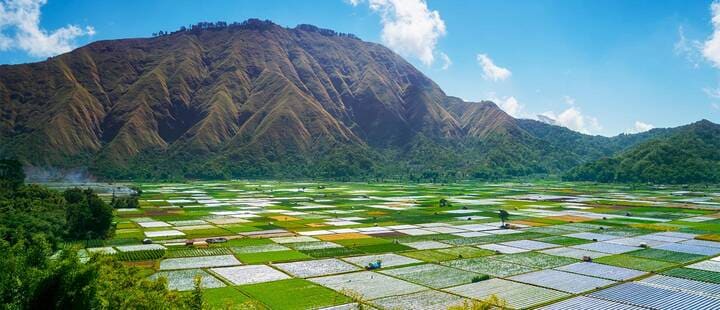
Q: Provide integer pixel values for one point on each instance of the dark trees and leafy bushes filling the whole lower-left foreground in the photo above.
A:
(35, 222)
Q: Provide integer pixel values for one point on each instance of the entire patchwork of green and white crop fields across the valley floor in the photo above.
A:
(313, 245)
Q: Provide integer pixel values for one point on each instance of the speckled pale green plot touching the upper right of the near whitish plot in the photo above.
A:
(435, 276)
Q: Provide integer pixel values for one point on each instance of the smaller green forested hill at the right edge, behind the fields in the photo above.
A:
(688, 154)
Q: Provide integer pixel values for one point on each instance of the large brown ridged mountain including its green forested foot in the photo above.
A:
(255, 99)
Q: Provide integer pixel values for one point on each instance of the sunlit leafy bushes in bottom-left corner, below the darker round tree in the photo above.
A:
(33, 279)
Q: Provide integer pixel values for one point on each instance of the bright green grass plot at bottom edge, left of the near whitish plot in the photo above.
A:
(294, 294)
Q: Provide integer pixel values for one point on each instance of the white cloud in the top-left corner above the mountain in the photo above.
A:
(20, 29)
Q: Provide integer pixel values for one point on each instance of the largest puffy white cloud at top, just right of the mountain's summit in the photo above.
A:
(409, 27)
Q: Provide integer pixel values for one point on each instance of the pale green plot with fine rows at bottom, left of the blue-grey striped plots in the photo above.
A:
(516, 295)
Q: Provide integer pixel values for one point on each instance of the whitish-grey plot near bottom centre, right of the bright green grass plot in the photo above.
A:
(370, 285)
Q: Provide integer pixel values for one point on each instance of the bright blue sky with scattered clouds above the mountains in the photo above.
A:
(602, 67)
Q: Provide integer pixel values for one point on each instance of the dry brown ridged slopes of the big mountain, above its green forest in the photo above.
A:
(261, 88)
